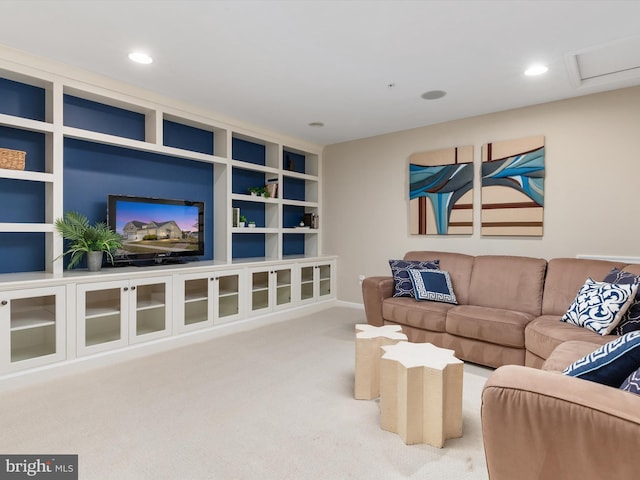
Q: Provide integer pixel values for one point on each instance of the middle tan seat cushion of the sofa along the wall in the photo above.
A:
(493, 325)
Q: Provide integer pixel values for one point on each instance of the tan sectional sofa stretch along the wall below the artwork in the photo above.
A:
(508, 308)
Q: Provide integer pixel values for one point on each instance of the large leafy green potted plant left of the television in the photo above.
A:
(94, 240)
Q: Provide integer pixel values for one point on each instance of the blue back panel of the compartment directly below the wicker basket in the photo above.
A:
(22, 201)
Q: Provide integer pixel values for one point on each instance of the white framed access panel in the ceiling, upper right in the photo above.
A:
(617, 63)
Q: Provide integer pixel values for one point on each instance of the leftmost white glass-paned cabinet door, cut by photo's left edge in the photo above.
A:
(32, 324)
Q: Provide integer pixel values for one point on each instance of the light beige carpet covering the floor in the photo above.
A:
(272, 403)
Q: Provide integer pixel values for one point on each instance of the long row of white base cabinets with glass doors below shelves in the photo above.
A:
(79, 319)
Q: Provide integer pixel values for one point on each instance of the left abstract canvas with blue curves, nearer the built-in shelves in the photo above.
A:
(441, 192)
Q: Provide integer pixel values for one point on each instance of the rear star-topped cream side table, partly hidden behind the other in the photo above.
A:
(369, 339)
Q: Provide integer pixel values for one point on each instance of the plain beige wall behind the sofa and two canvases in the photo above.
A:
(591, 187)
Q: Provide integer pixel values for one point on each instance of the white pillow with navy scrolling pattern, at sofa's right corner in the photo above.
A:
(599, 306)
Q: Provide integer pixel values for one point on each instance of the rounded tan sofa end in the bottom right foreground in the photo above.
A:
(544, 425)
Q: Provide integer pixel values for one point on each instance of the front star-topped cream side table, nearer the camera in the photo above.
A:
(421, 393)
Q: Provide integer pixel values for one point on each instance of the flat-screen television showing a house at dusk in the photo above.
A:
(156, 230)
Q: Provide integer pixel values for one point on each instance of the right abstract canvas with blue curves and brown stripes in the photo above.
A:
(513, 187)
